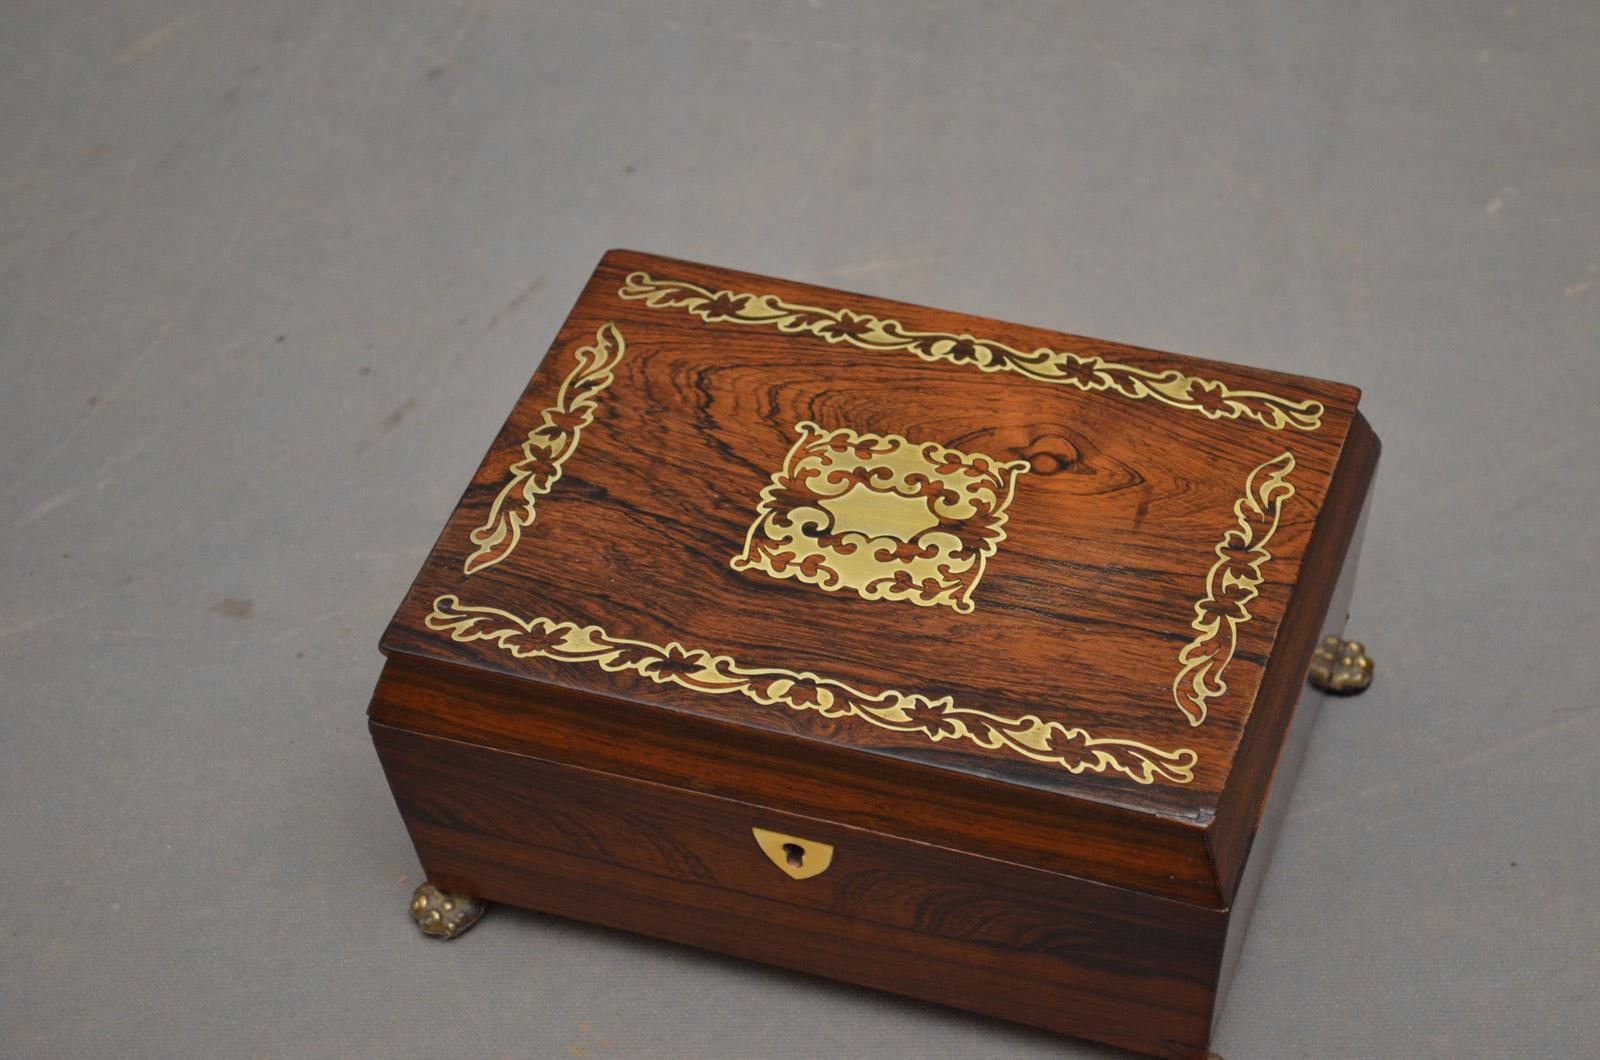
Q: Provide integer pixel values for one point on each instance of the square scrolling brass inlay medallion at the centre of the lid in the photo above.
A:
(881, 516)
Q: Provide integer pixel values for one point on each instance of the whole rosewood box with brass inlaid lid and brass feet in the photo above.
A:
(919, 651)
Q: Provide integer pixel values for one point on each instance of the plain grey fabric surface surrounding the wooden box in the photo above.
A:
(271, 275)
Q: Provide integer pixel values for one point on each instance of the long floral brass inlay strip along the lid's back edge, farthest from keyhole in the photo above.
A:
(1086, 372)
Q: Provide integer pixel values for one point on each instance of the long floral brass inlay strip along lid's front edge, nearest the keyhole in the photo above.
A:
(1073, 750)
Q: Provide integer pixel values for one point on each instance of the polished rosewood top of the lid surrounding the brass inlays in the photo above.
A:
(1082, 611)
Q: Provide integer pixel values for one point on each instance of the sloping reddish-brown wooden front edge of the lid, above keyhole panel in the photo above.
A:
(873, 792)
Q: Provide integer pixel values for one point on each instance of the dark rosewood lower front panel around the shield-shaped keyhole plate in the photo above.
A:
(924, 921)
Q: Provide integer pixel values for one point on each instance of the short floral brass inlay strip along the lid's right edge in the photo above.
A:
(1231, 585)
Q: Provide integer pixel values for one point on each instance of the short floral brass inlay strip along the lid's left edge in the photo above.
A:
(546, 449)
